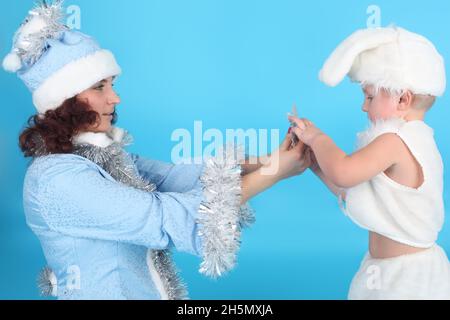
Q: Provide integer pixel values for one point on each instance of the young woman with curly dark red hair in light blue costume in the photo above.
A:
(105, 218)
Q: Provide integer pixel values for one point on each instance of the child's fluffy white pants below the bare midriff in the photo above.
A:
(419, 276)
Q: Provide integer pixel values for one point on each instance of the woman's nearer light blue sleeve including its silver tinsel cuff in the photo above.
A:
(203, 219)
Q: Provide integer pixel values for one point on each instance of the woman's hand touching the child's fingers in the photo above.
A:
(287, 161)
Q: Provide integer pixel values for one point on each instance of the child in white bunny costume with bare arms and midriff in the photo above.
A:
(393, 185)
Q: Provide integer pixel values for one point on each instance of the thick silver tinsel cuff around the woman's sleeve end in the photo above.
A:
(221, 215)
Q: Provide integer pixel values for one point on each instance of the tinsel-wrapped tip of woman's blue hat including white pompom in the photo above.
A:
(30, 41)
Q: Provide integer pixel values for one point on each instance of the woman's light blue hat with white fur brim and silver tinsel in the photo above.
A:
(56, 63)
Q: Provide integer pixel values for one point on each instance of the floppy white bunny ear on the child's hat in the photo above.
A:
(340, 62)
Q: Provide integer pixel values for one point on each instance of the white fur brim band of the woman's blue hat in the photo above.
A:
(74, 78)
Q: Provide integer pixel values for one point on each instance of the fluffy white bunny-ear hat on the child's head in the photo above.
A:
(391, 58)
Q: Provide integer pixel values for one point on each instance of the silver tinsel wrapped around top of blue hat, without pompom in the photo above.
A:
(30, 47)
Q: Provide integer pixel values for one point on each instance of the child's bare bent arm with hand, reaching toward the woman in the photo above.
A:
(344, 170)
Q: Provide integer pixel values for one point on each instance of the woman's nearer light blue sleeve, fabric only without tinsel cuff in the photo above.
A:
(78, 200)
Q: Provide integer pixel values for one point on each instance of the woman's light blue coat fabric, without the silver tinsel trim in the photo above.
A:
(96, 232)
